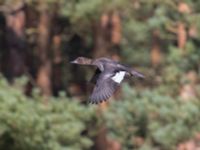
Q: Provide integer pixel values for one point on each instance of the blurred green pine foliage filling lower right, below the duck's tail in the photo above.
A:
(160, 120)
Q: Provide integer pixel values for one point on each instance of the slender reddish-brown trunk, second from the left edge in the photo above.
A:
(44, 71)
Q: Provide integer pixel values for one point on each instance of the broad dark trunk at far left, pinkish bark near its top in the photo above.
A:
(15, 56)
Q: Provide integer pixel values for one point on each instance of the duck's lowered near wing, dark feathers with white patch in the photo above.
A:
(105, 87)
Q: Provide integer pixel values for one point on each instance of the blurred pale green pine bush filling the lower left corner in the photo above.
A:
(27, 123)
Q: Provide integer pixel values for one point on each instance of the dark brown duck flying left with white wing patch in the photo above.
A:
(107, 78)
